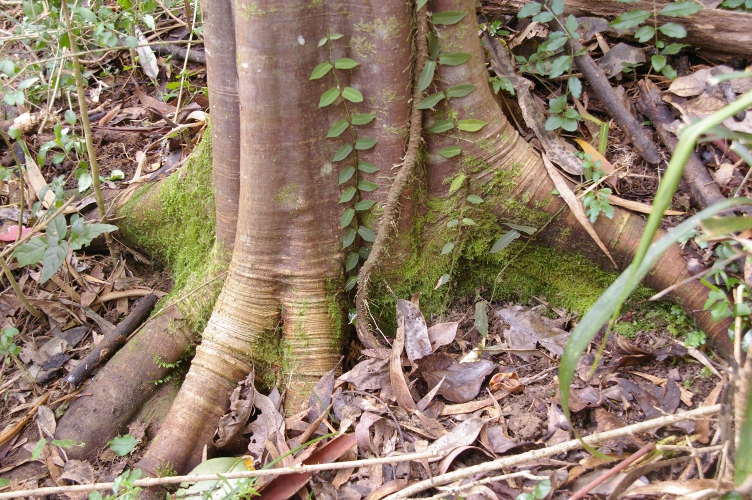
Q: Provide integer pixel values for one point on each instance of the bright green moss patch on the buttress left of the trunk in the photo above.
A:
(178, 229)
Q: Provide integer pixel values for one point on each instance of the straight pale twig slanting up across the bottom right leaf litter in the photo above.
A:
(564, 447)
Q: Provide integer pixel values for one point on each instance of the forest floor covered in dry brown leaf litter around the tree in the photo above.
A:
(486, 388)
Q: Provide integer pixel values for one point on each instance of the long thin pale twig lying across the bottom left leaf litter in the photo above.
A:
(194, 478)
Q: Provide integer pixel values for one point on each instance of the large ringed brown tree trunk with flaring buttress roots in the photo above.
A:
(282, 300)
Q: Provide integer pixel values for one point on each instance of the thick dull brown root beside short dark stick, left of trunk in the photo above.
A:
(122, 387)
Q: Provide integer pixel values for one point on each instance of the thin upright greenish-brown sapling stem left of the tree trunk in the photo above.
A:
(86, 125)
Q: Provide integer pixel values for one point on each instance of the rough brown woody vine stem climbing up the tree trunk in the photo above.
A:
(391, 207)
